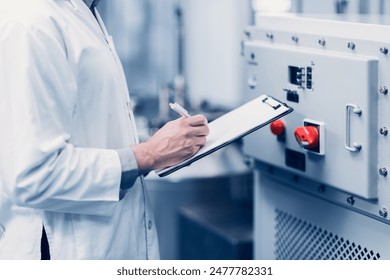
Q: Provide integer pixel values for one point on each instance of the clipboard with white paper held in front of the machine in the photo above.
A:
(234, 125)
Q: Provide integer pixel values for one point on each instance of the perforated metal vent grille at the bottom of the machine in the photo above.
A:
(296, 239)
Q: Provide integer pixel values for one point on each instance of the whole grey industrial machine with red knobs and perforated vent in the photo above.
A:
(322, 188)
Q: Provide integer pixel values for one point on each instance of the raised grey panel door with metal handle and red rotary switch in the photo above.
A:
(334, 96)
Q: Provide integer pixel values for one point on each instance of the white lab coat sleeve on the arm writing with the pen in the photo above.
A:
(39, 166)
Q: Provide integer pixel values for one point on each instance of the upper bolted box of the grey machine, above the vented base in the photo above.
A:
(337, 84)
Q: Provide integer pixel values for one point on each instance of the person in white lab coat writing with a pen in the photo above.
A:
(71, 167)
